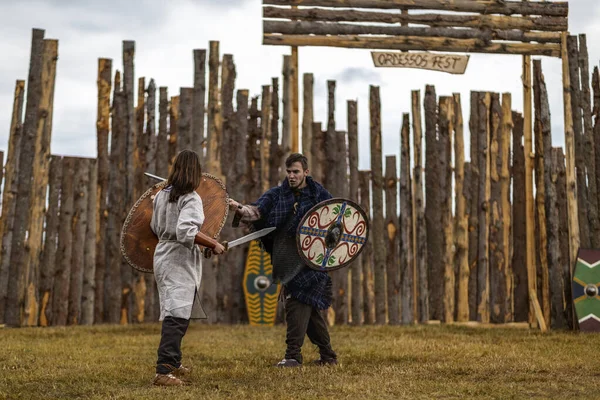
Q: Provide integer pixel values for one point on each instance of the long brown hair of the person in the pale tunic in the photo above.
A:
(185, 176)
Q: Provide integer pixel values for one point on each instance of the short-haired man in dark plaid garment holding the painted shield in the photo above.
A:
(306, 291)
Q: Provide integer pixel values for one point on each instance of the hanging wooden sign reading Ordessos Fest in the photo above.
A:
(451, 63)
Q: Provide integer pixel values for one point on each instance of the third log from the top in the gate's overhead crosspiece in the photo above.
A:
(328, 28)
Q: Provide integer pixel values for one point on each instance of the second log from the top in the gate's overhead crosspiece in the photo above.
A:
(524, 23)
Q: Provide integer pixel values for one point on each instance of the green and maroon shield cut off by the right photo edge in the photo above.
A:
(586, 284)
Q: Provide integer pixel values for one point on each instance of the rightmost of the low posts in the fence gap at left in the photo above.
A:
(89, 266)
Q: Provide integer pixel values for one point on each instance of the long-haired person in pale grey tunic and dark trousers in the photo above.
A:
(176, 219)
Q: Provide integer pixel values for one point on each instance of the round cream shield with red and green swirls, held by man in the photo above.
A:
(332, 234)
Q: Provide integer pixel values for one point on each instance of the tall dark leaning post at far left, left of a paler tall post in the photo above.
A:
(19, 268)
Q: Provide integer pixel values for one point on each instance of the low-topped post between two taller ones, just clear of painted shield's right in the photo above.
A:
(391, 229)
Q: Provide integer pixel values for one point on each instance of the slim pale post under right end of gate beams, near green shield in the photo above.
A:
(570, 162)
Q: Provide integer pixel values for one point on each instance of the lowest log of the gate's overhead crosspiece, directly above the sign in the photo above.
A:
(414, 43)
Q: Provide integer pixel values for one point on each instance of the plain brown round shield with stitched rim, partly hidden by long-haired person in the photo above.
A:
(137, 239)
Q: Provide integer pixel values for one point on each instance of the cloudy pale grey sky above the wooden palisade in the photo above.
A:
(166, 32)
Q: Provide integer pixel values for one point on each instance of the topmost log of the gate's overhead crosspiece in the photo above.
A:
(558, 9)
